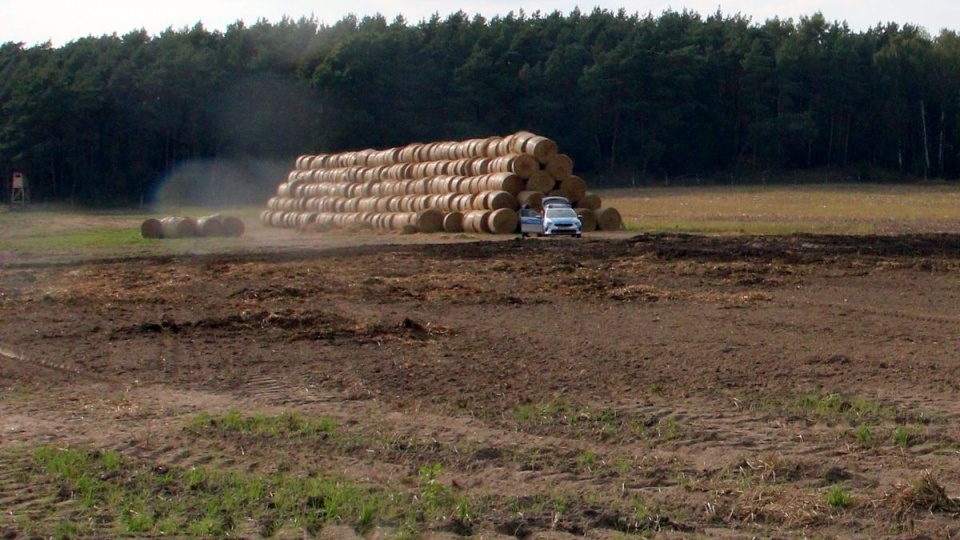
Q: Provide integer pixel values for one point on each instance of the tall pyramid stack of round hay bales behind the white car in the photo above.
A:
(477, 185)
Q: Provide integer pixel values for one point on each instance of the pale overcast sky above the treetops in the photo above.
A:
(60, 21)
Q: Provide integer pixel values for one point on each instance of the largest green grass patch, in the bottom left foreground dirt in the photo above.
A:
(108, 496)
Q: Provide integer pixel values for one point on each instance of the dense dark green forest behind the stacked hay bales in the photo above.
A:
(105, 120)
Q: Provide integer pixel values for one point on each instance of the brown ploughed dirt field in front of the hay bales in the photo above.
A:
(655, 385)
